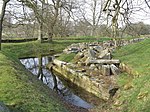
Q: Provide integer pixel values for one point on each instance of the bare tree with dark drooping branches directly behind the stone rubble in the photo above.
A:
(117, 11)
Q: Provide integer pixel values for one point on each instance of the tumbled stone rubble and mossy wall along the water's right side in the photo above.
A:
(93, 68)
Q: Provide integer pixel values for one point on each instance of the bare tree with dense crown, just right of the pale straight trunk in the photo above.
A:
(57, 12)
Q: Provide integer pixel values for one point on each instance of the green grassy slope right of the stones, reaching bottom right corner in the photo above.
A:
(137, 56)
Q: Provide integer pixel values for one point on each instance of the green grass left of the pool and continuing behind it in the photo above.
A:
(19, 89)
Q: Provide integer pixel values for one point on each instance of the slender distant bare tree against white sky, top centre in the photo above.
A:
(90, 12)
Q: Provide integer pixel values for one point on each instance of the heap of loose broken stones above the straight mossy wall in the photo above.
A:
(95, 56)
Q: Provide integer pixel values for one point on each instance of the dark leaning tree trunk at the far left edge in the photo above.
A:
(2, 18)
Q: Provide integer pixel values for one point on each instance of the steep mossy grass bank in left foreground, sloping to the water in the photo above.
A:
(22, 91)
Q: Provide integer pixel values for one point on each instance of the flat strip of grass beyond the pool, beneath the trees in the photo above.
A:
(34, 48)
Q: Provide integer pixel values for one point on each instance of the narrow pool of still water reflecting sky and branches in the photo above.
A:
(37, 67)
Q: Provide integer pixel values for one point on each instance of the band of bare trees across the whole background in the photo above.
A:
(63, 18)
